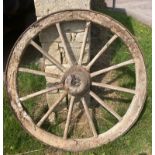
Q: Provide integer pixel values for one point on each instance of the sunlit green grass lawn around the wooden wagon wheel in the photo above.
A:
(138, 141)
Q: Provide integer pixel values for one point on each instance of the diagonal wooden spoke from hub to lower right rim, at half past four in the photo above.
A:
(106, 106)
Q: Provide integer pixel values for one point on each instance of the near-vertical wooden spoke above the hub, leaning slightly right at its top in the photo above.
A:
(84, 43)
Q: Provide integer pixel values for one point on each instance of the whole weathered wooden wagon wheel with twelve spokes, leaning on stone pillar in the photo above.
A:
(77, 81)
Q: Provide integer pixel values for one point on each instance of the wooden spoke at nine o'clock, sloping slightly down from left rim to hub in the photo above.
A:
(35, 72)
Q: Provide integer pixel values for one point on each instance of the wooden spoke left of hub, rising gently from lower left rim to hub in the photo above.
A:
(58, 86)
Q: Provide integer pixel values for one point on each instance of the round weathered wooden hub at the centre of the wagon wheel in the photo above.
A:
(77, 81)
